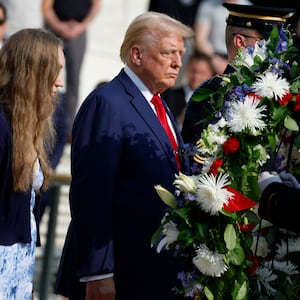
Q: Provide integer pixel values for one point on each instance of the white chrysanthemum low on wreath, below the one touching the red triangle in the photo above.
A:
(208, 262)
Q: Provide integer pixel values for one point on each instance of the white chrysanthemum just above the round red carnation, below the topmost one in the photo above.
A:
(247, 115)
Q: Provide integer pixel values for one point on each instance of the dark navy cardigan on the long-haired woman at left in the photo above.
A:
(14, 207)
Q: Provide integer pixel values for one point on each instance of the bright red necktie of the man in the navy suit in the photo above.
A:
(162, 116)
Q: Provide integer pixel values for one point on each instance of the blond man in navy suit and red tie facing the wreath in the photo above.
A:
(120, 151)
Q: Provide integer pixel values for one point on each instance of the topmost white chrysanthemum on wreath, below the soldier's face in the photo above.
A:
(270, 85)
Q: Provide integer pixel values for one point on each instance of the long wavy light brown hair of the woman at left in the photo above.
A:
(29, 66)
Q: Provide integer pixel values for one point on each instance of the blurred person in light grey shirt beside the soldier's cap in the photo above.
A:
(210, 22)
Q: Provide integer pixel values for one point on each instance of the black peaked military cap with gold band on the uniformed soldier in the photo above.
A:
(261, 18)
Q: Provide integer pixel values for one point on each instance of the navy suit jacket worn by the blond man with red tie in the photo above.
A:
(119, 153)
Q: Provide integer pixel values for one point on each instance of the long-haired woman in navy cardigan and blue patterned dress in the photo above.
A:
(31, 63)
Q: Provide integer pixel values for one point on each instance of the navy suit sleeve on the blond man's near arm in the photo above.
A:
(95, 154)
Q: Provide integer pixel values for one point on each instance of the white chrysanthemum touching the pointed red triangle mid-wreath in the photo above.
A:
(212, 193)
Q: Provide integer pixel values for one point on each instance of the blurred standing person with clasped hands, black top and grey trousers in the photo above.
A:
(69, 19)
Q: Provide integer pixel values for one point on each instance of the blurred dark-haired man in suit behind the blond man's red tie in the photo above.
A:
(199, 68)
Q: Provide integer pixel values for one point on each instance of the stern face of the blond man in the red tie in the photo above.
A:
(162, 62)
